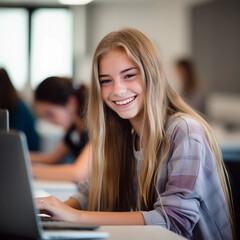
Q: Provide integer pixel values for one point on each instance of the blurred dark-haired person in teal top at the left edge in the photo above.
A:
(20, 116)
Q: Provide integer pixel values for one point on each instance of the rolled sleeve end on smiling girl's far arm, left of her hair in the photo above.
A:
(82, 196)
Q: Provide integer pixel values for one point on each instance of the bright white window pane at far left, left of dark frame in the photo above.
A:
(14, 44)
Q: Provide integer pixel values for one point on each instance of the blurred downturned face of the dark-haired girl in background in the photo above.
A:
(56, 114)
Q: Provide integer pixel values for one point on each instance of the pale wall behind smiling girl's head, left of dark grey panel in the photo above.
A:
(165, 22)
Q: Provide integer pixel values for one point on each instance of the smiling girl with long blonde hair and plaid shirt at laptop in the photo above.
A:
(155, 160)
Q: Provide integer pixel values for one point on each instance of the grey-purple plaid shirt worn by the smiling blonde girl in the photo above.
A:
(189, 186)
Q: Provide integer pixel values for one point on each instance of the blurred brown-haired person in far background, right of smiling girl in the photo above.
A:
(191, 88)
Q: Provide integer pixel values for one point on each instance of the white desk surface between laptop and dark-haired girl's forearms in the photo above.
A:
(60, 189)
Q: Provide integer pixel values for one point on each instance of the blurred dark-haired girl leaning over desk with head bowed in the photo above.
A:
(64, 103)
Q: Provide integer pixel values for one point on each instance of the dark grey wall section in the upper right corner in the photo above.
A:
(216, 48)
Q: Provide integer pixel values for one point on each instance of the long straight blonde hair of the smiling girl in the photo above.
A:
(111, 136)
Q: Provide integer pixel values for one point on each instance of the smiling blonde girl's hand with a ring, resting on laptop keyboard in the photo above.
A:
(56, 209)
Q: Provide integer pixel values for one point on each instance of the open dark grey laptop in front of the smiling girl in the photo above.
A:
(19, 216)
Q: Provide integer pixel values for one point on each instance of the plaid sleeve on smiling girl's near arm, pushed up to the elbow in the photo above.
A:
(177, 208)
